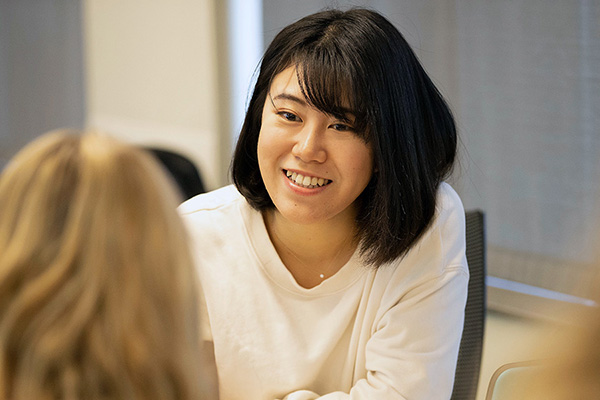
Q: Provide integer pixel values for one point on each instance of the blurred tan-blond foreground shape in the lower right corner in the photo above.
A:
(566, 364)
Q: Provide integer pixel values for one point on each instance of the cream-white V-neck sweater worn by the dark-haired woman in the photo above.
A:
(386, 333)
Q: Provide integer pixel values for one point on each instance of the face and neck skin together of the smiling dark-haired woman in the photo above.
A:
(299, 144)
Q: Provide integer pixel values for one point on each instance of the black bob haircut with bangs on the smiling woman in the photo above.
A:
(358, 56)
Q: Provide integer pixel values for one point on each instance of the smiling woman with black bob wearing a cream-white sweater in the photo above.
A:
(335, 267)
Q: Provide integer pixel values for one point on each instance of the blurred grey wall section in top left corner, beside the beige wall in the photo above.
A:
(41, 70)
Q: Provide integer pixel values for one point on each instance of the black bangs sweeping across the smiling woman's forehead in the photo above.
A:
(332, 85)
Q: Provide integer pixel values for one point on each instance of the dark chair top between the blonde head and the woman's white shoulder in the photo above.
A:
(183, 171)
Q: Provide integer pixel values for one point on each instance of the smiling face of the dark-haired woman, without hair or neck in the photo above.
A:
(313, 165)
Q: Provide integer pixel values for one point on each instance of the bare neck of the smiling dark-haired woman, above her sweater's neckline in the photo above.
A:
(313, 252)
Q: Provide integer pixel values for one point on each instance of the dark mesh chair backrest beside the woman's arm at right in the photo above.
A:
(471, 345)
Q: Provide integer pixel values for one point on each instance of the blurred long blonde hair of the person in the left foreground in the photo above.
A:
(98, 296)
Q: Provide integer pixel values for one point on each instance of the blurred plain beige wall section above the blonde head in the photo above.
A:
(151, 76)
